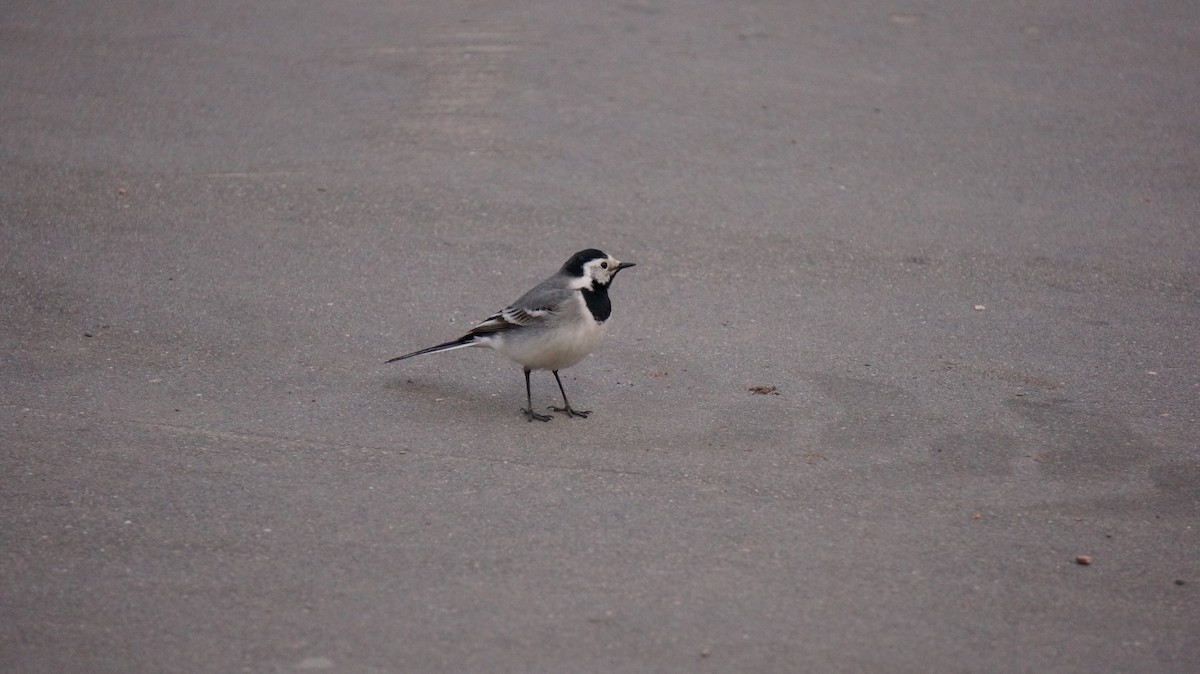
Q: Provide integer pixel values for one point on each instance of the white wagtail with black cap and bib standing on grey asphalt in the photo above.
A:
(553, 327)
